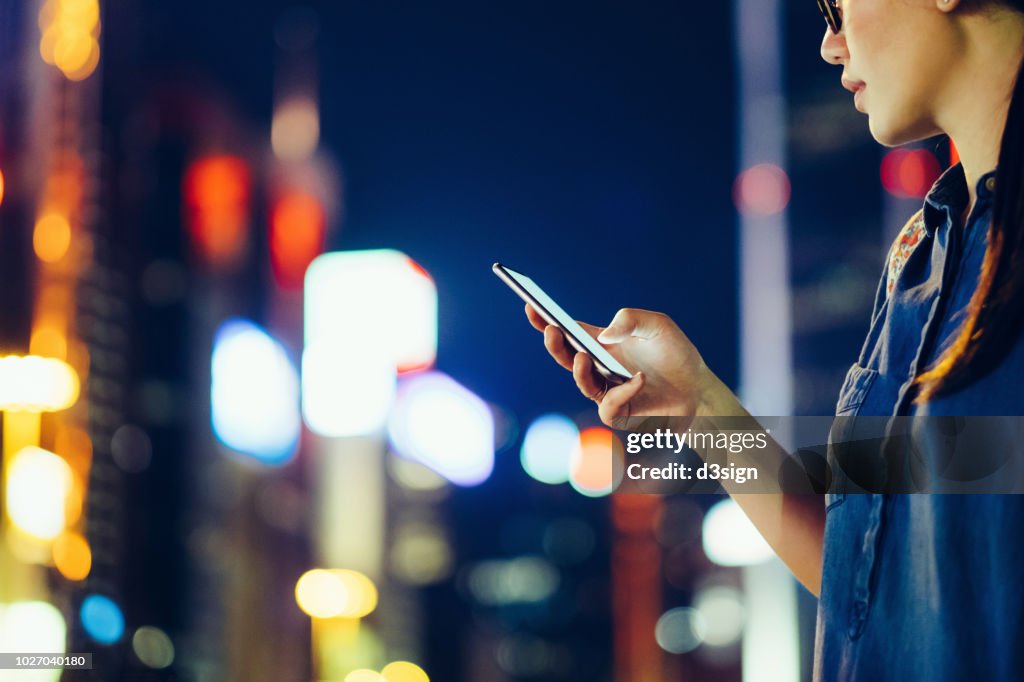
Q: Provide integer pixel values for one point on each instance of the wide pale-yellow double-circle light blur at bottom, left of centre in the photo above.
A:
(336, 593)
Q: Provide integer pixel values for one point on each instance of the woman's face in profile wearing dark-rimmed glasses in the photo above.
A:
(898, 56)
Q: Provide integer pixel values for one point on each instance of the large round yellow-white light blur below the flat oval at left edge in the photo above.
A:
(36, 494)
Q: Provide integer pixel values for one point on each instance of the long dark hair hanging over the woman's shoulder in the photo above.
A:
(995, 314)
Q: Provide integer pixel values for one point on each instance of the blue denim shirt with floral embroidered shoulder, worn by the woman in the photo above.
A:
(925, 587)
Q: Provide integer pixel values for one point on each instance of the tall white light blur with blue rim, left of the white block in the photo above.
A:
(254, 394)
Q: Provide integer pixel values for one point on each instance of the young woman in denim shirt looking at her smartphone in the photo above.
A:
(927, 586)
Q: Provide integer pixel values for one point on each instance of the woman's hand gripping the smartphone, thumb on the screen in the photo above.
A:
(670, 377)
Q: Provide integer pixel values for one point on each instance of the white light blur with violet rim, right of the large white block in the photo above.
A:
(442, 424)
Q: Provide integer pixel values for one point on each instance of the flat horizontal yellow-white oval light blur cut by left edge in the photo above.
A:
(37, 385)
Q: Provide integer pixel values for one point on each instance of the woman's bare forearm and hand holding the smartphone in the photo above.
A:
(672, 380)
